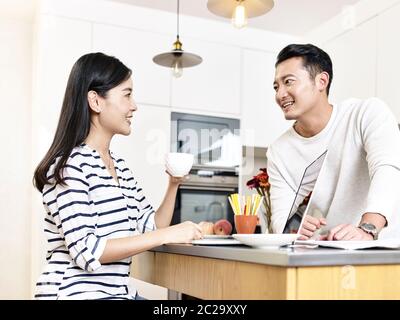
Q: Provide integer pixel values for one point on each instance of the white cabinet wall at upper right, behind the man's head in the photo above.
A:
(362, 42)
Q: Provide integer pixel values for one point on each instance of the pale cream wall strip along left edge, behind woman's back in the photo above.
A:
(15, 126)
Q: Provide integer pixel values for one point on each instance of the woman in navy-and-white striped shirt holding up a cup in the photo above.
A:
(96, 215)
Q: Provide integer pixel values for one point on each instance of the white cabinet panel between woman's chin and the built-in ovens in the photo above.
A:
(145, 148)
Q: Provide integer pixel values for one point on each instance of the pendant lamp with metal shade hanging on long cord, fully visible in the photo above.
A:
(177, 59)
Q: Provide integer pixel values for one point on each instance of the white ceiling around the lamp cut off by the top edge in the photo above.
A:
(295, 17)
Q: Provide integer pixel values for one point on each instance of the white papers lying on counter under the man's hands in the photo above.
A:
(353, 245)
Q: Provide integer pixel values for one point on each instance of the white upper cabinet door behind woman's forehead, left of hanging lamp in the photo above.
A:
(136, 49)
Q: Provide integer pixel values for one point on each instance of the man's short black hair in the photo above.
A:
(315, 60)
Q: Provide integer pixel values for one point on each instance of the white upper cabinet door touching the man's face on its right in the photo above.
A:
(262, 119)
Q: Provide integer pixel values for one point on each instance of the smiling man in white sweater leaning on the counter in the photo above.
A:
(358, 185)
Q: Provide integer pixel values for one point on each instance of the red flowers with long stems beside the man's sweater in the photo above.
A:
(261, 184)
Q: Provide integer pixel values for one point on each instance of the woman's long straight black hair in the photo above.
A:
(93, 71)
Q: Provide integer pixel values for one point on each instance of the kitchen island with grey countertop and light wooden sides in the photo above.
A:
(241, 272)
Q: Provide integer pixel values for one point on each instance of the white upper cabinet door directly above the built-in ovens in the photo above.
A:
(213, 85)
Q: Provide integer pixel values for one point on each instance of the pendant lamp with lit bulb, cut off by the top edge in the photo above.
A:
(239, 10)
